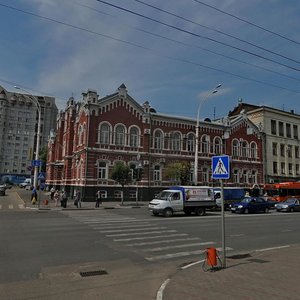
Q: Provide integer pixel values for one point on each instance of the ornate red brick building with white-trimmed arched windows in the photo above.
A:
(93, 134)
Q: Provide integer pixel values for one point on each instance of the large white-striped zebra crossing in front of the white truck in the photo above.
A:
(154, 242)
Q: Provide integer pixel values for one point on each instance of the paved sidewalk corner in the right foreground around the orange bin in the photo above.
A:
(270, 274)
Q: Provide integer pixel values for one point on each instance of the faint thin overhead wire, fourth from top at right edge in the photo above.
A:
(192, 46)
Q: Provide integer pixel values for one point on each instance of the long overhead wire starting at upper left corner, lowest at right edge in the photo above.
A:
(145, 48)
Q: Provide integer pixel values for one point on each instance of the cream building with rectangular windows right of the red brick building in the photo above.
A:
(281, 149)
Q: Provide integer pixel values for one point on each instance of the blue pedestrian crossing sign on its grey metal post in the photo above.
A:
(221, 170)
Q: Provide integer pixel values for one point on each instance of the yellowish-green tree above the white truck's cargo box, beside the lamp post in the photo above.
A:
(179, 172)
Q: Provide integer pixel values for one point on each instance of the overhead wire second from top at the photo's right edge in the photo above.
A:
(218, 31)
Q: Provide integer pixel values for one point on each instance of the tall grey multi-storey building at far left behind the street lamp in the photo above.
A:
(18, 130)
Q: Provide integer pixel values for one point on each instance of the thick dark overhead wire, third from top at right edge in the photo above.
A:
(197, 35)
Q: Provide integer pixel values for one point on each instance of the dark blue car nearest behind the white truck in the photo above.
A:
(250, 205)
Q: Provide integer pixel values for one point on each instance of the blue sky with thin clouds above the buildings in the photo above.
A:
(172, 53)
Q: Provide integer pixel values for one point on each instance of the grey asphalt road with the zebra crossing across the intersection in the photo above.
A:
(43, 252)
